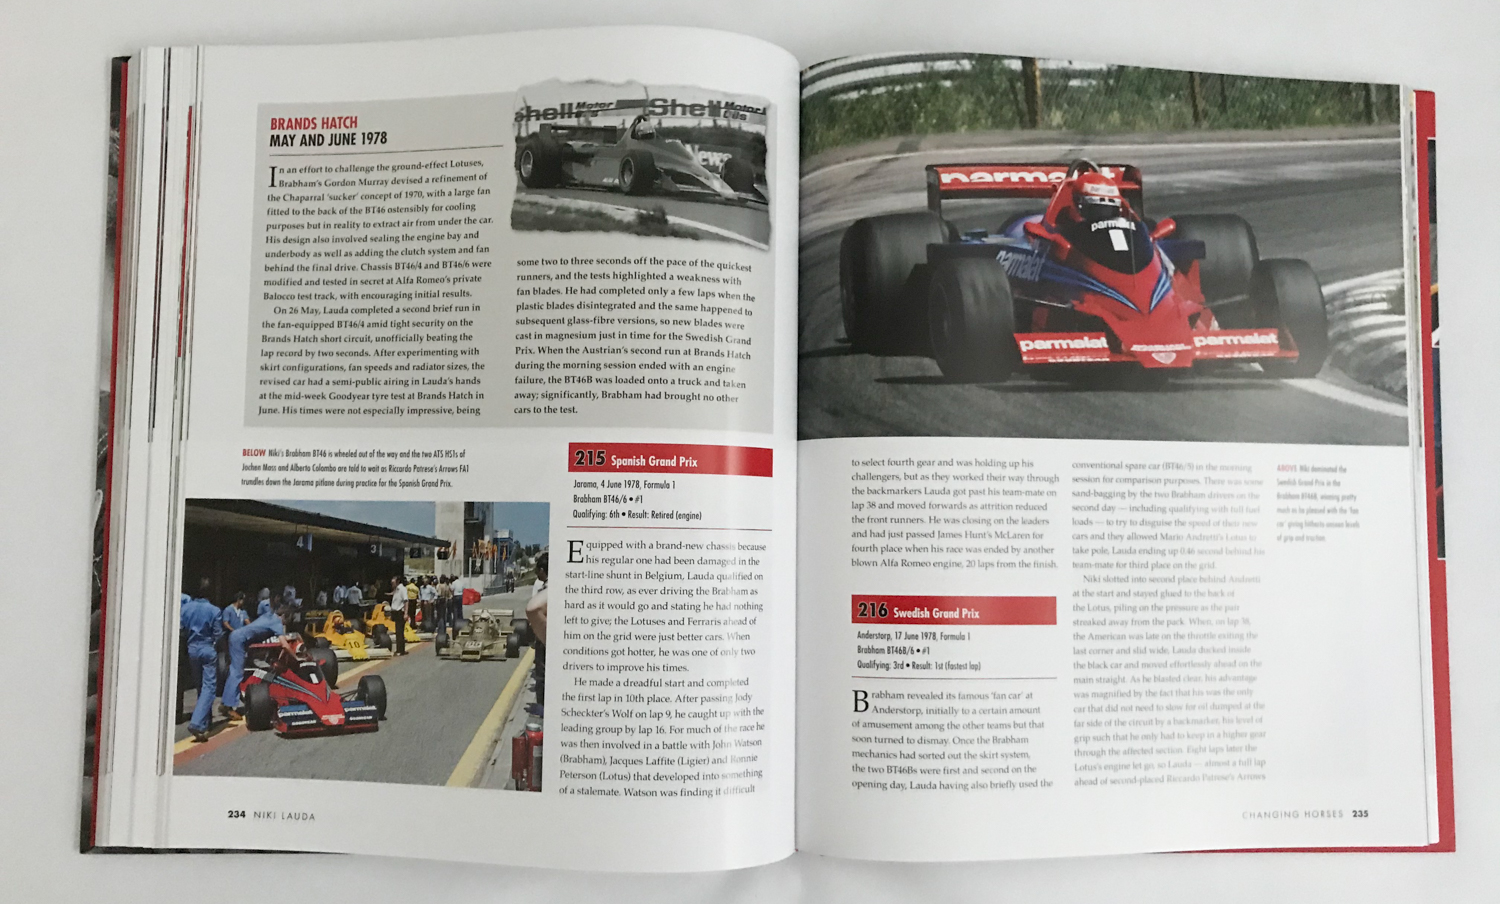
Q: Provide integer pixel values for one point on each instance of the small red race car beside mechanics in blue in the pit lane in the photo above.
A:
(290, 689)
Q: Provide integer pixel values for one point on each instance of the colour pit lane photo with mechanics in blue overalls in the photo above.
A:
(382, 642)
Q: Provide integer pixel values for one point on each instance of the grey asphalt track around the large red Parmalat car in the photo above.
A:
(1336, 205)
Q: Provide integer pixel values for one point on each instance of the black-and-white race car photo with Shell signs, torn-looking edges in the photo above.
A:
(650, 161)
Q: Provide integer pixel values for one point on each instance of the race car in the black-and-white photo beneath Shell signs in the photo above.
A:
(634, 160)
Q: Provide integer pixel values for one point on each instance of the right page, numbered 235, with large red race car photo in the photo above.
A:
(1112, 500)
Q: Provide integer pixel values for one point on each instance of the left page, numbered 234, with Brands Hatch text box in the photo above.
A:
(424, 340)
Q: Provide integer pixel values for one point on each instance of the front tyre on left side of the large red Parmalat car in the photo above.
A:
(973, 322)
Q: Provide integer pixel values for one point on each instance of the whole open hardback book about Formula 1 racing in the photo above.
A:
(931, 456)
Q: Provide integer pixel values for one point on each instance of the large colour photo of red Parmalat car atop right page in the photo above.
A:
(1007, 247)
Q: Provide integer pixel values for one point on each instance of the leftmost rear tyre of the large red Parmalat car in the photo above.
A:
(877, 262)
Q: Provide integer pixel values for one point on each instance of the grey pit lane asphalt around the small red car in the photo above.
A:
(434, 710)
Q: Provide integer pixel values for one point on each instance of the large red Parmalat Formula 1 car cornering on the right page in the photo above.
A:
(1087, 286)
